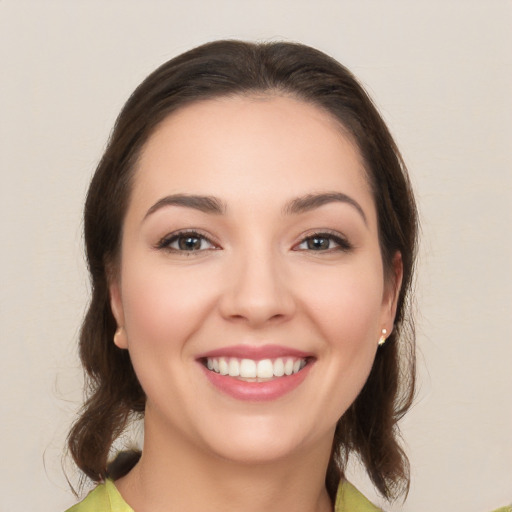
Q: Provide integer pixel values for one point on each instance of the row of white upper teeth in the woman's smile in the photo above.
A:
(251, 369)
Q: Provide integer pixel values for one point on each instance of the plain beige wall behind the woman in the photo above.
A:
(441, 72)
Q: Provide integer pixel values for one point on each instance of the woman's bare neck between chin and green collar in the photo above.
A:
(173, 475)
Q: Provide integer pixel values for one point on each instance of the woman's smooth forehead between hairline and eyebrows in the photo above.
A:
(250, 146)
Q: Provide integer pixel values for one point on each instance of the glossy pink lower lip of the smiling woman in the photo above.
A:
(256, 391)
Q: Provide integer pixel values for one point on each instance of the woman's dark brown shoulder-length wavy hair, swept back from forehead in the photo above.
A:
(225, 68)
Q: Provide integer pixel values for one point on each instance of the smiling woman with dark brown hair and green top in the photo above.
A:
(251, 233)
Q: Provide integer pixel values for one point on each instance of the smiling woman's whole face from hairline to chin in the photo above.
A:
(251, 288)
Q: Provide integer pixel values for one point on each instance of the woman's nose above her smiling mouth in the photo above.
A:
(257, 290)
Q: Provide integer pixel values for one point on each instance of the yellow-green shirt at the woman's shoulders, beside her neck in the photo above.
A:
(106, 498)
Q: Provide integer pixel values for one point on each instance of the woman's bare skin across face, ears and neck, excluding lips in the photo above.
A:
(253, 280)
